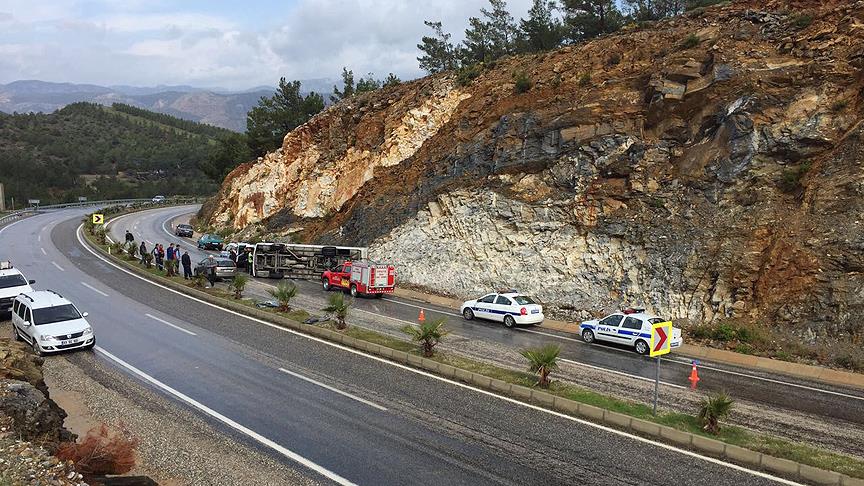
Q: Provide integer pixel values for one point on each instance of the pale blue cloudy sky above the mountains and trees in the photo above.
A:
(216, 43)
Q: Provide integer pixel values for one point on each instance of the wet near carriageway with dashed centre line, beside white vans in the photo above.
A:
(347, 417)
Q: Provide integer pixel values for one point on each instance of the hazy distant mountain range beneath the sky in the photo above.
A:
(213, 106)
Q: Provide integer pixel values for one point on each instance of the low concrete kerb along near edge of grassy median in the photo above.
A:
(700, 443)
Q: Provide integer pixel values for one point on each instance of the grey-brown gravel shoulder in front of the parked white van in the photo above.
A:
(176, 446)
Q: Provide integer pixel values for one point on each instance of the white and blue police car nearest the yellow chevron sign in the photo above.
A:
(631, 327)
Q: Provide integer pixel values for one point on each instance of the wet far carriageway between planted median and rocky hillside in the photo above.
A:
(777, 391)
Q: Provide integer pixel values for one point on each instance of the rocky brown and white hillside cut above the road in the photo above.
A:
(707, 166)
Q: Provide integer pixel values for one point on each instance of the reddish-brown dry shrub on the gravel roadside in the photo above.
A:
(102, 451)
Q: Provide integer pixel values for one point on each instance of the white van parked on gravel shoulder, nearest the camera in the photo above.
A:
(50, 323)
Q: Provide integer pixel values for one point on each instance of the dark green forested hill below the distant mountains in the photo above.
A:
(90, 150)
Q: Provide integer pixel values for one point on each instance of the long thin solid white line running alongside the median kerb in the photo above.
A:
(442, 379)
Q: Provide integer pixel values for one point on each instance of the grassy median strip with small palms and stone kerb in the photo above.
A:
(734, 444)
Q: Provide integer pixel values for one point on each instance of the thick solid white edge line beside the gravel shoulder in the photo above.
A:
(227, 421)
